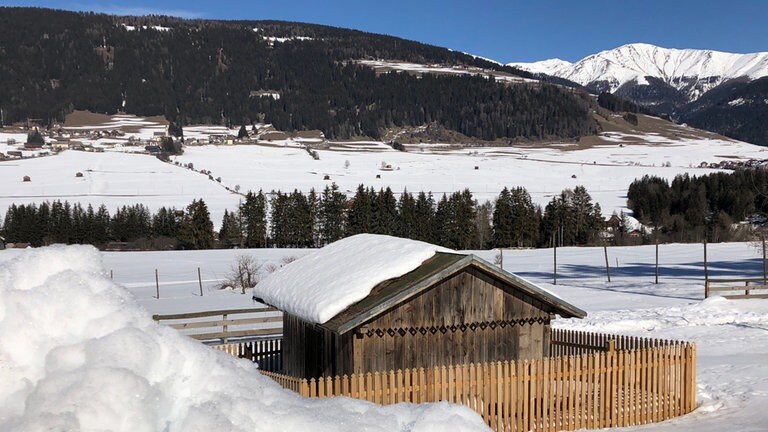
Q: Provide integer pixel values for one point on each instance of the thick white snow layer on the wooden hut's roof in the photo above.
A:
(318, 286)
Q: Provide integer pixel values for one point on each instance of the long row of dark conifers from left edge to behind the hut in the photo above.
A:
(298, 219)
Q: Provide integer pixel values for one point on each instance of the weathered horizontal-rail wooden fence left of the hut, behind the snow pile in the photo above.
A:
(259, 322)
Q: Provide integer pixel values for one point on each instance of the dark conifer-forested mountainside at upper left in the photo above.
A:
(295, 76)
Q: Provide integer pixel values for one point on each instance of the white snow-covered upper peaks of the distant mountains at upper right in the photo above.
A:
(691, 72)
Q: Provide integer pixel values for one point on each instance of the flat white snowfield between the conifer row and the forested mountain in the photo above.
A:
(115, 178)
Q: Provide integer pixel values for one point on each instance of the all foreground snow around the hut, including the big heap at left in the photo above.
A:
(53, 354)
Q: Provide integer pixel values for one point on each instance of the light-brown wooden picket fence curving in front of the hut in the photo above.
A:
(601, 387)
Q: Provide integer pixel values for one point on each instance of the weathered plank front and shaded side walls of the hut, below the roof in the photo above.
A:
(469, 317)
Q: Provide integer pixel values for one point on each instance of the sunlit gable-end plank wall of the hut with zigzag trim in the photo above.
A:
(467, 318)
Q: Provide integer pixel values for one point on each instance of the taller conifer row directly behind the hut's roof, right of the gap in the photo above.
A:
(456, 220)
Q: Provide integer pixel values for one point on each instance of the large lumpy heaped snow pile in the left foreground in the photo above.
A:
(77, 353)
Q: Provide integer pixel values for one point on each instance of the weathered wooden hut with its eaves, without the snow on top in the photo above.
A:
(451, 309)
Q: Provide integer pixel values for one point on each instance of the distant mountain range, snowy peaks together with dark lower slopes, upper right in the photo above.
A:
(712, 90)
